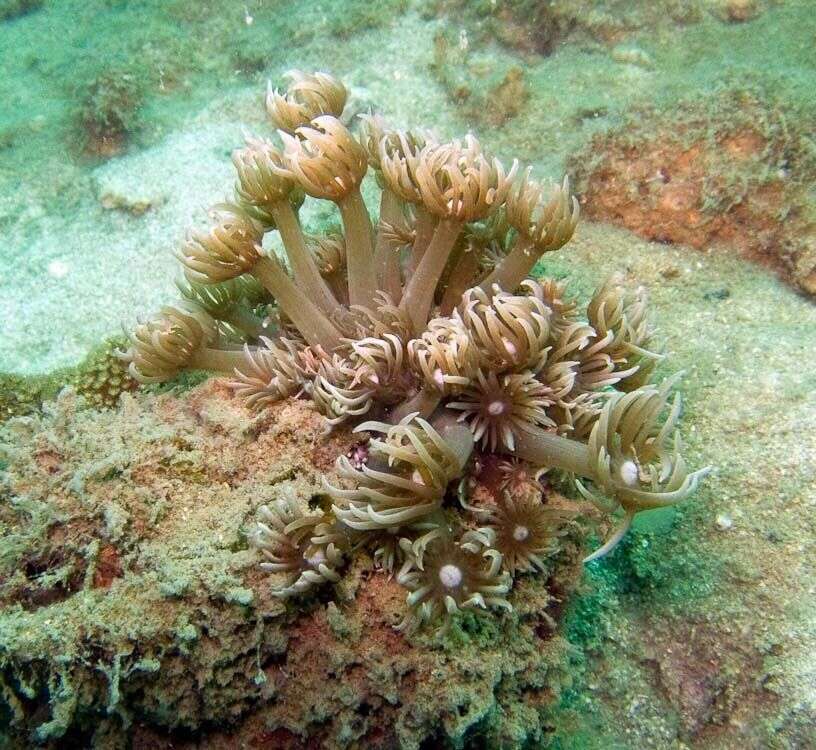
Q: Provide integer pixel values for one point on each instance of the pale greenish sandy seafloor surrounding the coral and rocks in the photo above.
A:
(702, 634)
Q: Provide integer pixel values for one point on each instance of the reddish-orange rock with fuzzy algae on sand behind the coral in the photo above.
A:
(734, 169)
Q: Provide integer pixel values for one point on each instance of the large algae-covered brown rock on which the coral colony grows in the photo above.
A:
(133, 610)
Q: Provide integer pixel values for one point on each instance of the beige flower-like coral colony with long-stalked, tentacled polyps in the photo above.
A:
(423, 331)
